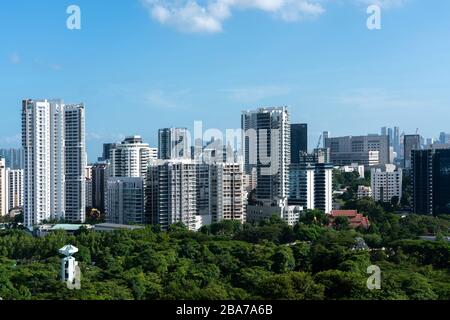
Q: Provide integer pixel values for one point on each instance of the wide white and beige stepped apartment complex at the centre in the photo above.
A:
(182, 190)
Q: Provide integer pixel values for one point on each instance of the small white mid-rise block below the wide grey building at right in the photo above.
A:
(386, 183)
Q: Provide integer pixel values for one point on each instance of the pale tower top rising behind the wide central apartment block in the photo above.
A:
(173, 143)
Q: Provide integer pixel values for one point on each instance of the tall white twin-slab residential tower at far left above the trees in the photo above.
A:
(53, 139)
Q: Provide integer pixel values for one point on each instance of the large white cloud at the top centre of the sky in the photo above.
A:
(208, 16)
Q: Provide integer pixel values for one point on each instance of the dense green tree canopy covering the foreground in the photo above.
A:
(229, 261)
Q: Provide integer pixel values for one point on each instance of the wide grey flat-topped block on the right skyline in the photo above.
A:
(345, 148)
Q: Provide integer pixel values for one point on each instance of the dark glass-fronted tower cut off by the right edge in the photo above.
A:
(431, 181)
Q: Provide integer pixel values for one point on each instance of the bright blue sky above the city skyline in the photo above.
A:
(140, 65)
